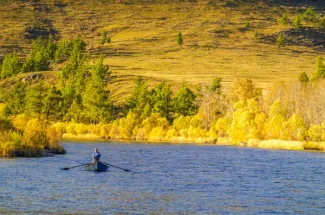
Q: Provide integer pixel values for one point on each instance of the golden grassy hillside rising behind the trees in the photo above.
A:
(217, 38)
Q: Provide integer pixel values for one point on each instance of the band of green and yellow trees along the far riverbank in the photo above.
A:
(80, 104)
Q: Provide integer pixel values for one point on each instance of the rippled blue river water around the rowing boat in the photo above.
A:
(168, 179)
